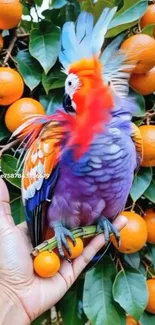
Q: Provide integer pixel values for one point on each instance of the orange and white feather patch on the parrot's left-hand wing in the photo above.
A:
(42, 158)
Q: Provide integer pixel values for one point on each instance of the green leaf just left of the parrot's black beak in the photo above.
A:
(52, 102)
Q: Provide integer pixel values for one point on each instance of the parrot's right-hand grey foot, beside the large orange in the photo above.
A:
(105, 225)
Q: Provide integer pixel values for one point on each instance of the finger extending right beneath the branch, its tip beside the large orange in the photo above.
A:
(93, 247)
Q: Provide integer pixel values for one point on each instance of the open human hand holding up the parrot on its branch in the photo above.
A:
(23, 295)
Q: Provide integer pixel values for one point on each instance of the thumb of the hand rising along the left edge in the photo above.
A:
(5, 211)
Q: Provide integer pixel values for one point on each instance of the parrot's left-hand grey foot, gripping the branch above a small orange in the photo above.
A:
(61, 233)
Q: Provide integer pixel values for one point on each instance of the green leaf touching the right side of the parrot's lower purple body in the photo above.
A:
(141, 183)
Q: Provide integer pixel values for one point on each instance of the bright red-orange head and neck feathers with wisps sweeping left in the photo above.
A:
(94, 104)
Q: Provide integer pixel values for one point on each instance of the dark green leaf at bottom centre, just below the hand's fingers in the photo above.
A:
(73, 314)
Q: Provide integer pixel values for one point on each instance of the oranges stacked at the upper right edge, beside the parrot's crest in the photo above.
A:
(140, 51)
